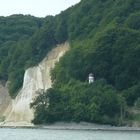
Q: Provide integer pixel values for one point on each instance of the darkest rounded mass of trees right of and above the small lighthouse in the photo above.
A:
(115, 59)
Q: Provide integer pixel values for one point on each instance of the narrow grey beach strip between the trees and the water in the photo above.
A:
(74, 126)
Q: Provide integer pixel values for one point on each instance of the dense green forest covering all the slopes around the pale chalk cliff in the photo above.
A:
(104, 36)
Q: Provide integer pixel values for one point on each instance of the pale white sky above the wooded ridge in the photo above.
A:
(38, 8)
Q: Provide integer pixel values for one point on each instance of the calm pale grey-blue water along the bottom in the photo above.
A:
(44, 134)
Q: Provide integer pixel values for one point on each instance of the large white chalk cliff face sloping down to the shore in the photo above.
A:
(35, 79)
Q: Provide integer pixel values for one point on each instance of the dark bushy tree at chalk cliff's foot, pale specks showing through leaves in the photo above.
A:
(41, 107)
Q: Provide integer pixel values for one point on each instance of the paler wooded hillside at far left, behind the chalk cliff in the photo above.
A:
(14, 31)
